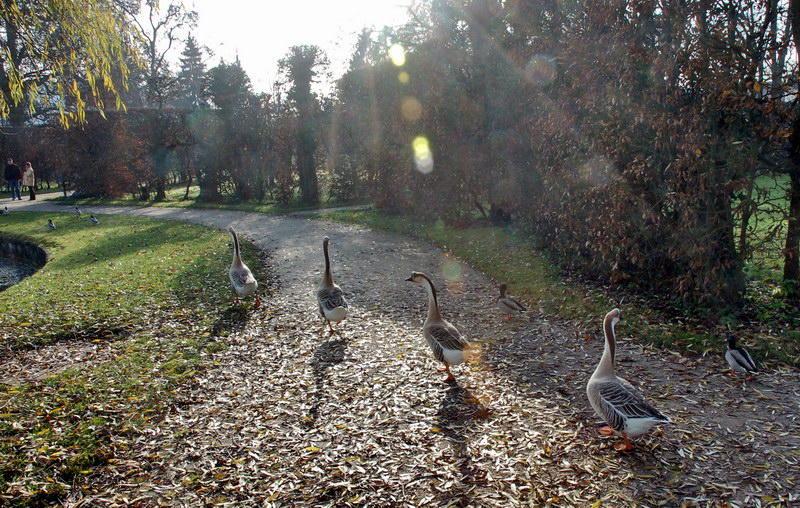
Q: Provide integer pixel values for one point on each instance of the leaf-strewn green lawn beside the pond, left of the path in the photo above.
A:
(157, 289)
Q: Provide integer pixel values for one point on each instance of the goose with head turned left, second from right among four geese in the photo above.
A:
(443, 338)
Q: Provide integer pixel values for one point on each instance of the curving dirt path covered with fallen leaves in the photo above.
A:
(291, 415)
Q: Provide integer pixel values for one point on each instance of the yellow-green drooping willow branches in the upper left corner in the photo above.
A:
(61, 55)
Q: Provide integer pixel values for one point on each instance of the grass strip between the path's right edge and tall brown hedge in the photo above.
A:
(509, 256)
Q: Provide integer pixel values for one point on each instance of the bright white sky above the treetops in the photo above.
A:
(261, 32)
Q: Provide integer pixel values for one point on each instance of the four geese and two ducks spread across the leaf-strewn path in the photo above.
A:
(614, 399)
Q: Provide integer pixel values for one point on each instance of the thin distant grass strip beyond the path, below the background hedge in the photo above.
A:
(175, 200)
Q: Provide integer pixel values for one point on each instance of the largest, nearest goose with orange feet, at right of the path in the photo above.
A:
(614, 399)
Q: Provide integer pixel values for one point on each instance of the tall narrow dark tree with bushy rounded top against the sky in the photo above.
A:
(300, 66)
